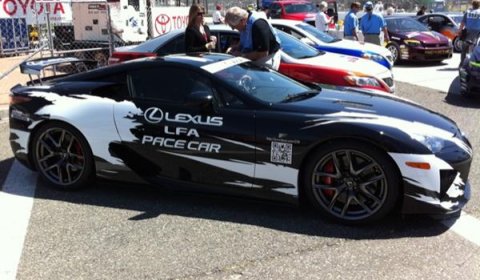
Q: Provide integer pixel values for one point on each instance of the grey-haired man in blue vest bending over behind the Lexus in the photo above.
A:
(258, 40)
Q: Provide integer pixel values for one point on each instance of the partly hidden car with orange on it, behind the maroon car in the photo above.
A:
(445, 25)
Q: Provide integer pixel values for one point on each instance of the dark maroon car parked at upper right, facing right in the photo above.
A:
(411, 40)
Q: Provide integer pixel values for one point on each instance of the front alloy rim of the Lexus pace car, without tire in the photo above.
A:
(349, 184)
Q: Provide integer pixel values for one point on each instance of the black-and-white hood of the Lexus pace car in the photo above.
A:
(377, 109)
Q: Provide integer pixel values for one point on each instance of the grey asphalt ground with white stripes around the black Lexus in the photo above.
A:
(117, 231)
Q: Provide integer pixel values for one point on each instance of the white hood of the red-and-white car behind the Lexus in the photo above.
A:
(342, 62)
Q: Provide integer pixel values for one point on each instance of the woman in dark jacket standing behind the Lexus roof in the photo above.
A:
(197, 34)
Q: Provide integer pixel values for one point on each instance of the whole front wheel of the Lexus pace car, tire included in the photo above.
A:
(351, 183)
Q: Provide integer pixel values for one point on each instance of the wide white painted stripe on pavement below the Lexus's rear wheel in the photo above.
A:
(16, 201)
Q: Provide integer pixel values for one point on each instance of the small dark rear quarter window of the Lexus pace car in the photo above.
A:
(114, 87)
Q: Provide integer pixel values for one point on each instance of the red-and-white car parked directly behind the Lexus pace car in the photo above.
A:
(299, 60)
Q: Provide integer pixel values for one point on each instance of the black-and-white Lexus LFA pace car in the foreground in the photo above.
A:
(216, 122)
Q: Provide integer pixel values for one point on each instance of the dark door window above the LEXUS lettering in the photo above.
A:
(166, 84)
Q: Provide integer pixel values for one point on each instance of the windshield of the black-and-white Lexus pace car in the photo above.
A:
(261, 83)
